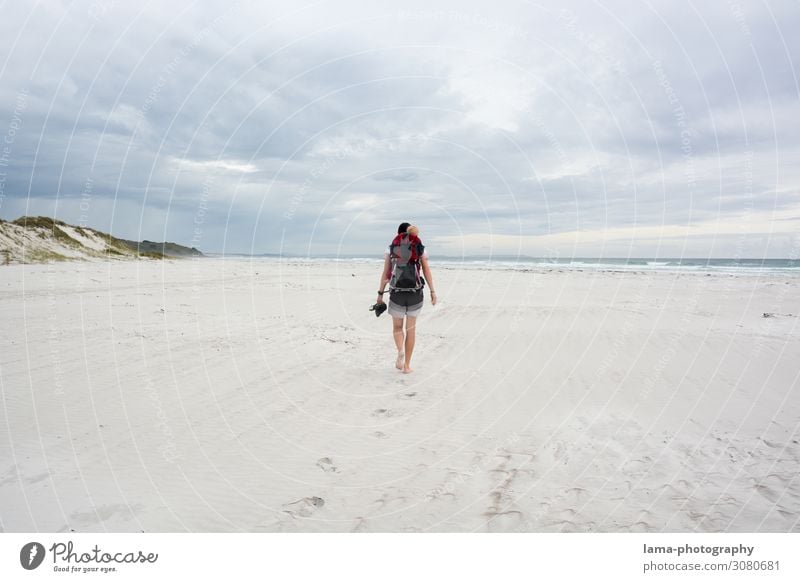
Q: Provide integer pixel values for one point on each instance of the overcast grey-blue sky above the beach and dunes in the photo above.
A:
(579, 129)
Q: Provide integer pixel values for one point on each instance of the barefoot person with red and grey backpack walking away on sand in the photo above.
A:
(406, 254)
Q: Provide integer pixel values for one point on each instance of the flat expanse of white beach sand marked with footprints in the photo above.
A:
(211, 395)
